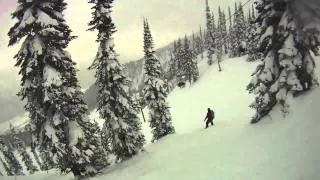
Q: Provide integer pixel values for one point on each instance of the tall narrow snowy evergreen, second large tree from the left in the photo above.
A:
(121, 130)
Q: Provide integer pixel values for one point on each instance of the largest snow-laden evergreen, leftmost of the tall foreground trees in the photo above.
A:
(49, 84)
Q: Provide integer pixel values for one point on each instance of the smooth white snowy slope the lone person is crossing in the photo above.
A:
(275, 148)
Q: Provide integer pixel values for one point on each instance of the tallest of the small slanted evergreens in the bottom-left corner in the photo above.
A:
(20, 146)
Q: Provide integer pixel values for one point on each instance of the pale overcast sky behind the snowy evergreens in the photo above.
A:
(168, 19)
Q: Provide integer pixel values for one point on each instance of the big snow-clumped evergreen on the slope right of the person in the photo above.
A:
(287, 65)
